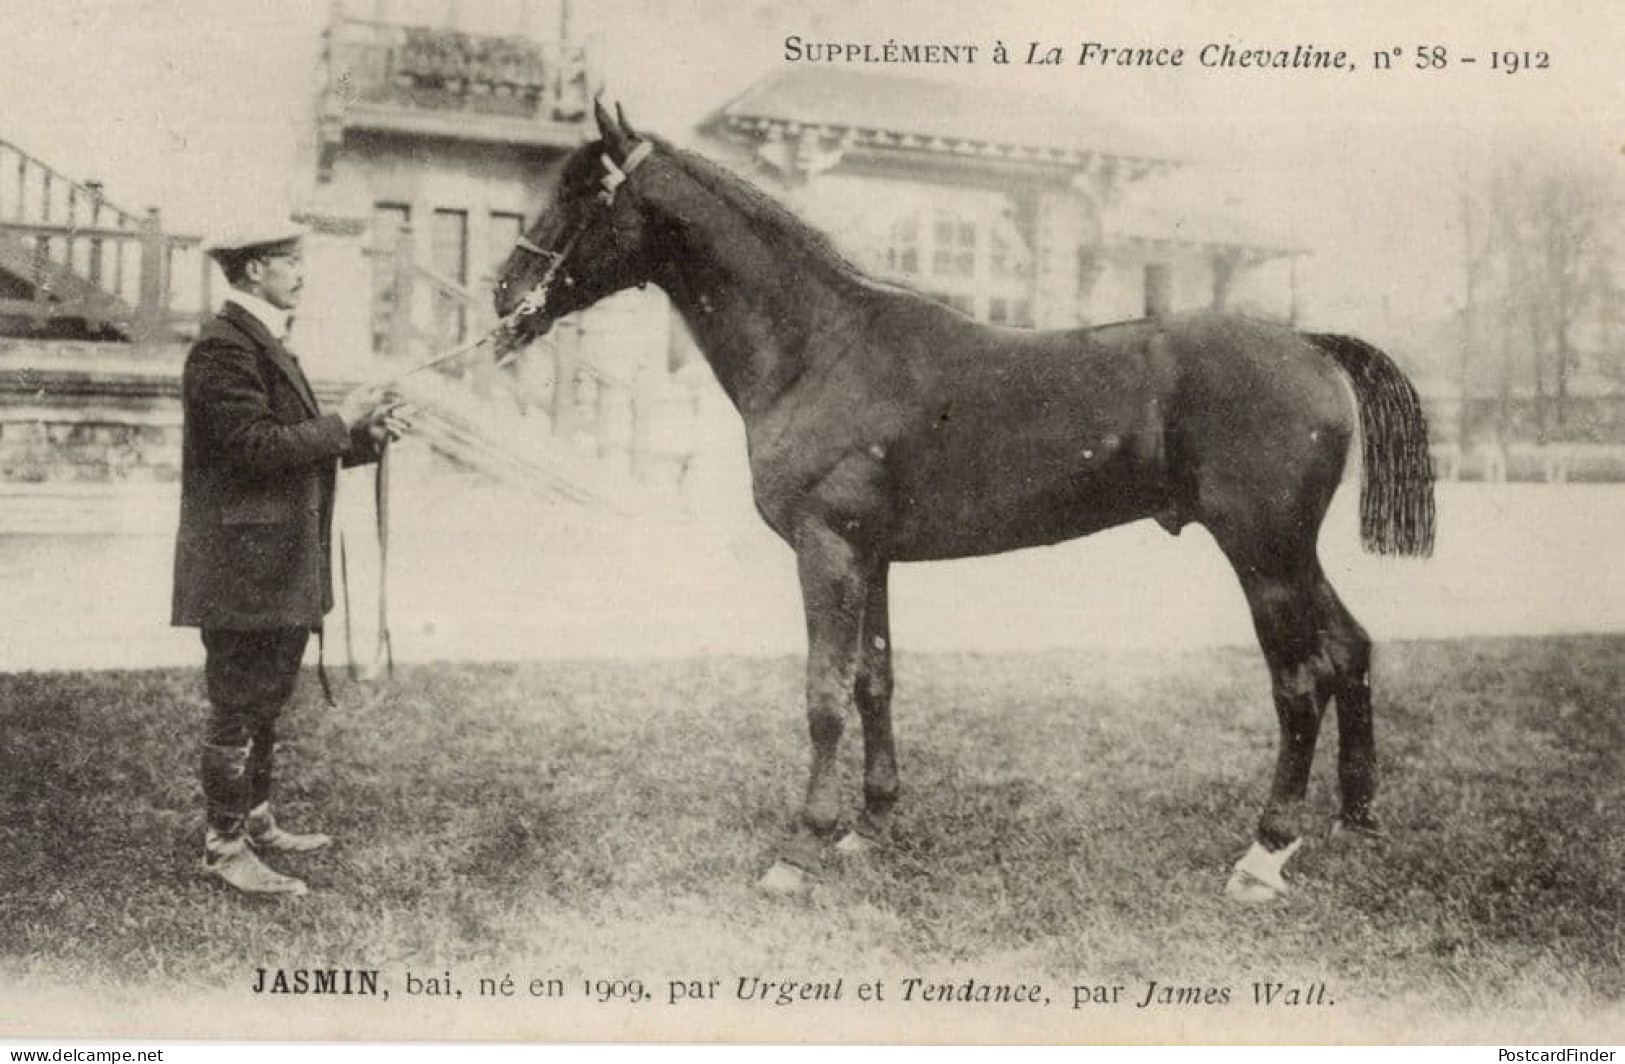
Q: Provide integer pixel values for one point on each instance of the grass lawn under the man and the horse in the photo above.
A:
(1068, 820)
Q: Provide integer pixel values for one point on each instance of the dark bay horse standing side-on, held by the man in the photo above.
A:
(886, 428)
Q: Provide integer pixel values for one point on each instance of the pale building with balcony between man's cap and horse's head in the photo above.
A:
(433, 139)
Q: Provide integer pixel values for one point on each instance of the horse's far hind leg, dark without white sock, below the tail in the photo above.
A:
(1350, 652)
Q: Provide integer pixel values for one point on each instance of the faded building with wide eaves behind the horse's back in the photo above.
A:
(1012, 210)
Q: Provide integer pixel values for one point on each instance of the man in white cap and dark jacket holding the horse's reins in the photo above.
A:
(253, 556)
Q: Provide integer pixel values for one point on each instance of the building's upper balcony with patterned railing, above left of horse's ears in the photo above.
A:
(448, 84)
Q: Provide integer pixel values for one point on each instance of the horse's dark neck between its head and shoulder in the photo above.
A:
(753, 308)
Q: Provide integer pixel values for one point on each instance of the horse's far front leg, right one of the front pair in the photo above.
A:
(875, 707)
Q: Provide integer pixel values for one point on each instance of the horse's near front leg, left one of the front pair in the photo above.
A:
(834, 590)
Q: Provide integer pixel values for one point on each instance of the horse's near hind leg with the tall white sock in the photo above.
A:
(1286, 620)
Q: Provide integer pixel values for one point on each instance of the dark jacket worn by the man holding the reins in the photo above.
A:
(258, 472)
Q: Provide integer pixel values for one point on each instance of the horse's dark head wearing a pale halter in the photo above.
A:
(589, 243)
